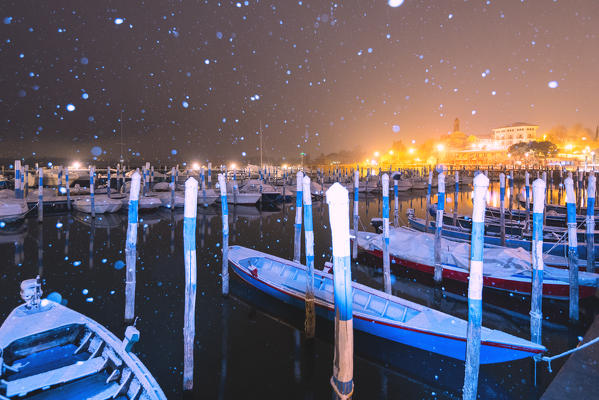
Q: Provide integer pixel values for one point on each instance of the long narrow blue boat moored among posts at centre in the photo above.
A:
(376, 312)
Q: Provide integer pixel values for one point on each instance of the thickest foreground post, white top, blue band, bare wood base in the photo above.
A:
(343, 367)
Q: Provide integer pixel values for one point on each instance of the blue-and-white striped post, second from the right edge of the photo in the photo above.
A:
(572, 248)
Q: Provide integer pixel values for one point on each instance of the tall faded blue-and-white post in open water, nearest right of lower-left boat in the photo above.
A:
(191, 266)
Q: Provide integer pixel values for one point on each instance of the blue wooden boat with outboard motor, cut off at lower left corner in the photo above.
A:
(48, 351)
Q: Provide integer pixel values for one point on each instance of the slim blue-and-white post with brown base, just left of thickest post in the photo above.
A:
(310, 323)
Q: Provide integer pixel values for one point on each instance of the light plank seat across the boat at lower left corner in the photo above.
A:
(54, 377)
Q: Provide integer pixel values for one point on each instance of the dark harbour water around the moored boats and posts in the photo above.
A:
(249, 345)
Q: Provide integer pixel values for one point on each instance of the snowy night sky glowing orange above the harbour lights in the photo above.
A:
(195, 79)
